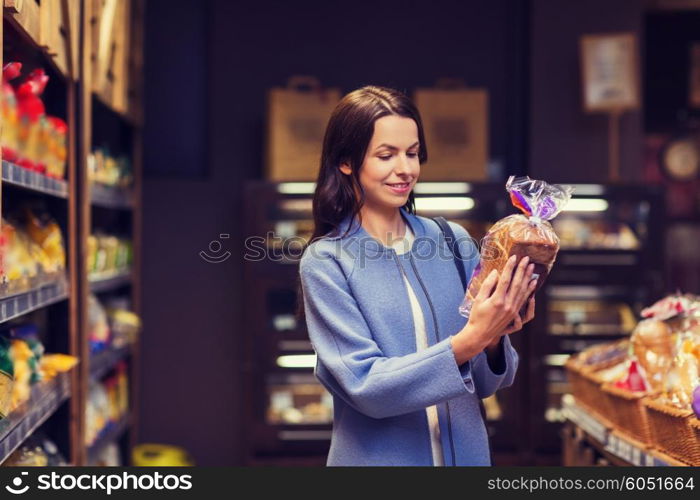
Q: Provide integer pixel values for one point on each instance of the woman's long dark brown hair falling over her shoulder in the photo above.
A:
(348, 134)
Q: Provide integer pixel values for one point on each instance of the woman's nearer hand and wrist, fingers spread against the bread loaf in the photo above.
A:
(494, 308)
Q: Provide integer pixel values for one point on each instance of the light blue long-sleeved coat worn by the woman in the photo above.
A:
(360, 324)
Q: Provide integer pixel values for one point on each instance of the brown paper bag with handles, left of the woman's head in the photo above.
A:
(296, 121)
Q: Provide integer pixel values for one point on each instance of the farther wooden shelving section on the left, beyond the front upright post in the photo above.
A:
(110, 113)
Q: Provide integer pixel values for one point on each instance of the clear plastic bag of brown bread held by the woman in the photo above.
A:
(527, 234)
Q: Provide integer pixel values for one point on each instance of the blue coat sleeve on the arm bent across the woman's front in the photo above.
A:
(350, 363)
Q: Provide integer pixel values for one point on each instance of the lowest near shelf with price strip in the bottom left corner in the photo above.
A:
(45, 399)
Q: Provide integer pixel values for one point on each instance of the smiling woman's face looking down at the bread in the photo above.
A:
(391, 167)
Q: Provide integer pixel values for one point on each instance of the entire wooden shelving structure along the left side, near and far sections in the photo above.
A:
(92, 52)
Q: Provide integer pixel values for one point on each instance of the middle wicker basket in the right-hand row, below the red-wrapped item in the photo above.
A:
(627, 413)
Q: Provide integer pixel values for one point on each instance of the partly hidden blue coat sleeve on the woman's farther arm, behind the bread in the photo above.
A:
(487, 381)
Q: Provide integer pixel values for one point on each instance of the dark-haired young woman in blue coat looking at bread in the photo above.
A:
(381, 296)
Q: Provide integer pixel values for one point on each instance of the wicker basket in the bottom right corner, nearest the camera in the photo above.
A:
(674, 431)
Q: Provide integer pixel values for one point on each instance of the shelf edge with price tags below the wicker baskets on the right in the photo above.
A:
(623, 449)
